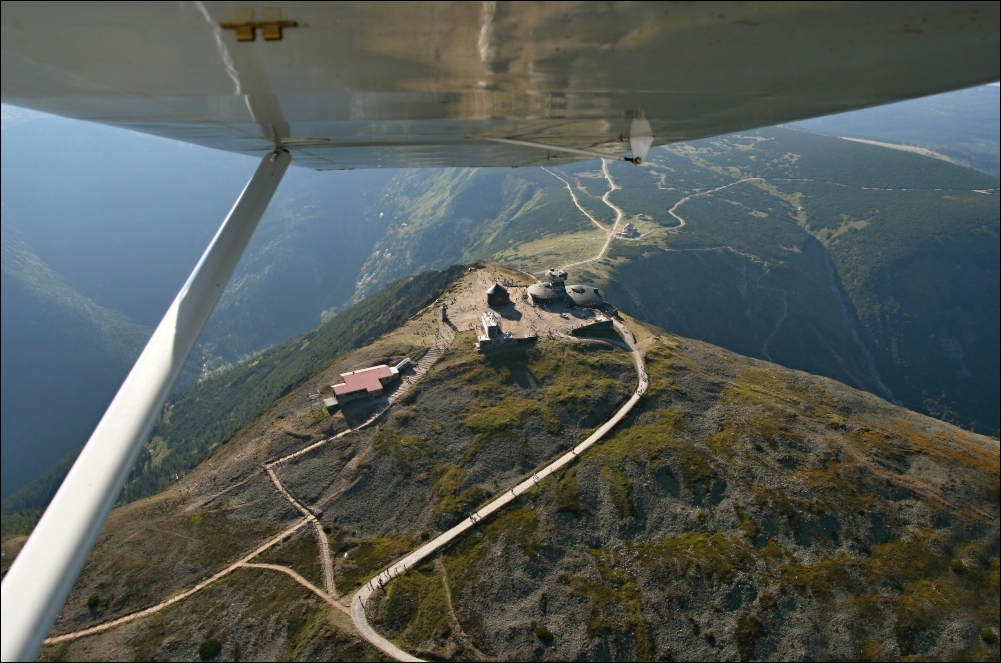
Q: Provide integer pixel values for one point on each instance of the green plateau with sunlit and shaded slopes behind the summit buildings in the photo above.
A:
(886, 280)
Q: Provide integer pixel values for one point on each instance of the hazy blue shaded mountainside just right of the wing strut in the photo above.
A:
(304, 260)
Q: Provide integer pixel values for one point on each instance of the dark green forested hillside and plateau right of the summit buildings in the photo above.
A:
(913, 243)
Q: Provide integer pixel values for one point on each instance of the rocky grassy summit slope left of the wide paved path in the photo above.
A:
(471, 425)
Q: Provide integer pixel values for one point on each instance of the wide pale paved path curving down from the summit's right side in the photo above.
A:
(409, 562)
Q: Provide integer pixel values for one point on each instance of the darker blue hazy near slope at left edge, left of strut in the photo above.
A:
(64, 360)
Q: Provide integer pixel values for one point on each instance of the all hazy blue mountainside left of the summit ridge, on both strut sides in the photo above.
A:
(115, 222)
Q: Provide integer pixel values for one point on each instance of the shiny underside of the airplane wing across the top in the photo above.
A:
(363, 86)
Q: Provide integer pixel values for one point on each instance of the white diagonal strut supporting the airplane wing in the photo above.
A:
(41, 579)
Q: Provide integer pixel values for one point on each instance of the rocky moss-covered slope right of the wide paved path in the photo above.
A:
(744, 512)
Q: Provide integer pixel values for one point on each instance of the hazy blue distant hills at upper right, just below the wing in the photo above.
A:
(964, 126)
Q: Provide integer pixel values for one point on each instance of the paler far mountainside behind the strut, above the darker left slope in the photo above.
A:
(124, 218)
